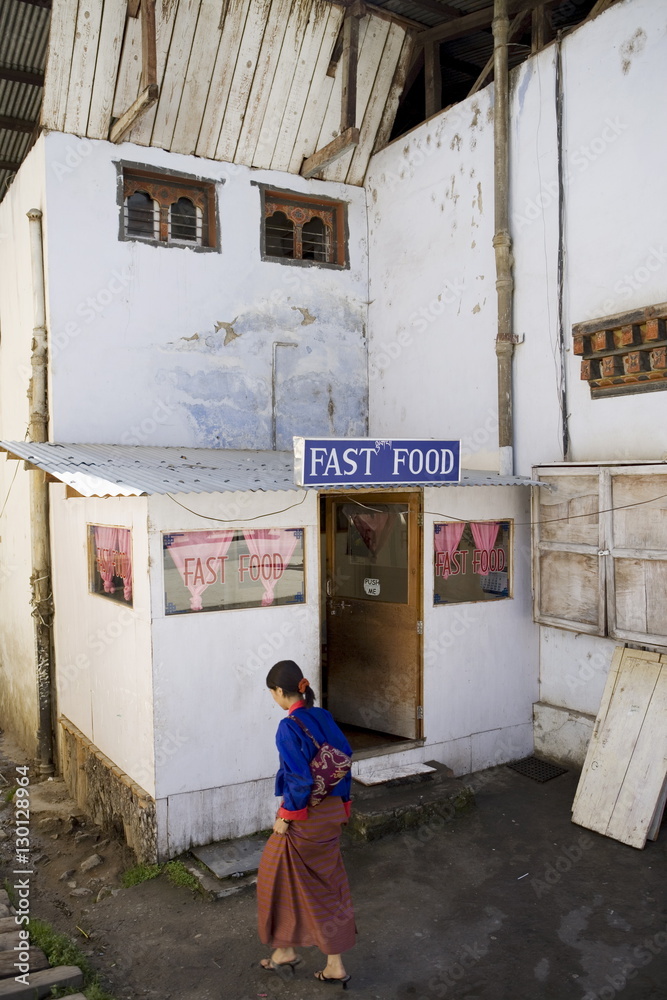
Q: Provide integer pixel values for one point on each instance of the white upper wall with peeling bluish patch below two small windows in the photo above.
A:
(168, 346)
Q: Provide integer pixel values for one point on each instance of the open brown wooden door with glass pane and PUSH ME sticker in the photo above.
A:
(373, 602)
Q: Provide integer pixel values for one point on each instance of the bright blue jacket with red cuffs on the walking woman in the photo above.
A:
(294, 780)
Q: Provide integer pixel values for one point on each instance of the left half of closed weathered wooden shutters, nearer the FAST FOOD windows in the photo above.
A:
(568, 568)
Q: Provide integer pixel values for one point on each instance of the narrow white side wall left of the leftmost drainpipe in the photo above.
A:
(18, 682)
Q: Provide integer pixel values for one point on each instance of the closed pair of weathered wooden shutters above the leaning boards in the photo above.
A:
(600, 551)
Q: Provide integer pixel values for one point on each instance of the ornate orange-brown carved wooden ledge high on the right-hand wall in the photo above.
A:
(624, 354)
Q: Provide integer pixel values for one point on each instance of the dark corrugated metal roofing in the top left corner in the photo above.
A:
(24, 34)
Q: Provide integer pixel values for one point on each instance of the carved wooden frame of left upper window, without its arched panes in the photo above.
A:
(165, 189)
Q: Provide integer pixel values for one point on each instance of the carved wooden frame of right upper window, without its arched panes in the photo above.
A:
(301, 209)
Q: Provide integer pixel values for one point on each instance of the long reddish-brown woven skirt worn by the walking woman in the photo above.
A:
(303, 897)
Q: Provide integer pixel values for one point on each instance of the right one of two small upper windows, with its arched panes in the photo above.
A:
(300, 229)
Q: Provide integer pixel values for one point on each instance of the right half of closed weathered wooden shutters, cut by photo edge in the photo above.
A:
(637, 540)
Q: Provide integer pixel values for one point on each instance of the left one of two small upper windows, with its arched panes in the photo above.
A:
(168, 210)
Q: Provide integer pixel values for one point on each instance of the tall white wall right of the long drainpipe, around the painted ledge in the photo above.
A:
(614, 68)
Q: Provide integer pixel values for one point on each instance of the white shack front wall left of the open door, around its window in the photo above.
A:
(215, 720)
